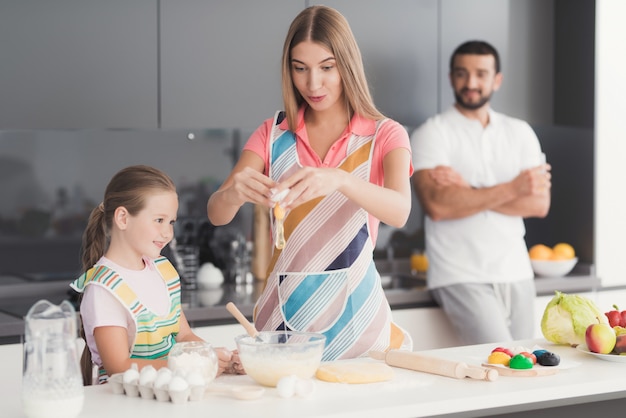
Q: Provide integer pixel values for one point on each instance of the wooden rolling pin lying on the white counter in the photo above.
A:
(421, 363)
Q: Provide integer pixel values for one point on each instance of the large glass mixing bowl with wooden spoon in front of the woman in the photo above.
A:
(276, 354)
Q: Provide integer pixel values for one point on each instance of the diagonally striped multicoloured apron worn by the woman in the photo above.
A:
(325, 280)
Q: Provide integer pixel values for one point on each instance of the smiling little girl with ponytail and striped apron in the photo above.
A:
(130, 306)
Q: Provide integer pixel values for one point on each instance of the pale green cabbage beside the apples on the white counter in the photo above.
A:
(567, 317)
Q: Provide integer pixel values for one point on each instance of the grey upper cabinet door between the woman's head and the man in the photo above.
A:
(398, 43)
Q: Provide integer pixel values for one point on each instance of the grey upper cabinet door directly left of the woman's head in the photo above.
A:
(221, 61)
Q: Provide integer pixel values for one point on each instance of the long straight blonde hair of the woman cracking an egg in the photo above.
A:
(329, 28)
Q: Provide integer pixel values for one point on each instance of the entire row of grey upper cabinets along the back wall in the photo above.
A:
(146, 64)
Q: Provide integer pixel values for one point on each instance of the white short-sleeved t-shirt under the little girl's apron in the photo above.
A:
(99, 307)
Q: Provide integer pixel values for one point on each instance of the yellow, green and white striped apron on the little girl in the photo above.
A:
(155, 334)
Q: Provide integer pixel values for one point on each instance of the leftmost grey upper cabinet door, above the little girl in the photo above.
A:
(72, 64)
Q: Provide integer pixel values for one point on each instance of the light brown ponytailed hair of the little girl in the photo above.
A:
(128, 188)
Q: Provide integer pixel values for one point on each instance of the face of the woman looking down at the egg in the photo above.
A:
(315, 75)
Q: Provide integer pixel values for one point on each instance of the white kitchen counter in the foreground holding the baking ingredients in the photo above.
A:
(584, 386)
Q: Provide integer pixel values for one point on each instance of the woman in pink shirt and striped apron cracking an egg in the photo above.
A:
(344, 168)
